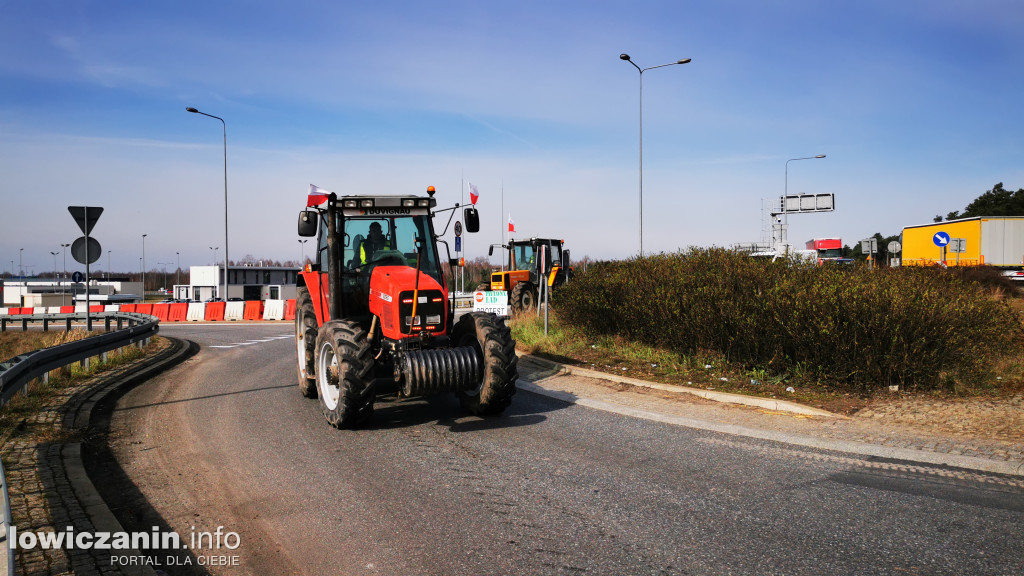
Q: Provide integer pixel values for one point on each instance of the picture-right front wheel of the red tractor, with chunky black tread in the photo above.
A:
(494, 343)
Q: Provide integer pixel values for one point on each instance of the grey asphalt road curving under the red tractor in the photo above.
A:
(548, 488)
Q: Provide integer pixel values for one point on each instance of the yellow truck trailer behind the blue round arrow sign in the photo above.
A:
(997, 241)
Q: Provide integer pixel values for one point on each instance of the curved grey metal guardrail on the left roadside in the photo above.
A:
(19, 372)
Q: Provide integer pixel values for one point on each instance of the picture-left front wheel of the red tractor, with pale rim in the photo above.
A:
(345, 375)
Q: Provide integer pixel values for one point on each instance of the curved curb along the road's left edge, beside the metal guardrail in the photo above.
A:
(79, 418)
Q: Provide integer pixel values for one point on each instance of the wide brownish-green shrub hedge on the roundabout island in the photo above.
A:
(915, 327)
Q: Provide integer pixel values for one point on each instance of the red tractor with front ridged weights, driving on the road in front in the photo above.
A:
(373, 313)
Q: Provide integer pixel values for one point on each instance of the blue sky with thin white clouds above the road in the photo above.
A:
(916, 104)
